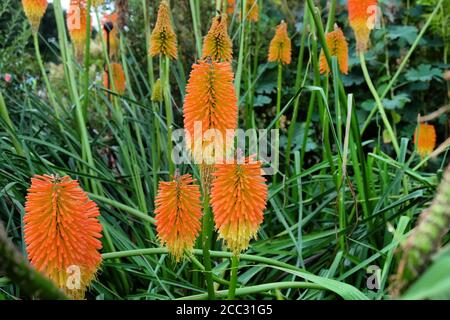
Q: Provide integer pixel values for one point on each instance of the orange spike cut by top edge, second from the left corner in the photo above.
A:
(76, 24)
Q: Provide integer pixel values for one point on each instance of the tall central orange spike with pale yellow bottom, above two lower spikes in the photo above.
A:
(210, 103)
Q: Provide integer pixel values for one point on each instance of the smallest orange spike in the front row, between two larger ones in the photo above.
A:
(178, 213)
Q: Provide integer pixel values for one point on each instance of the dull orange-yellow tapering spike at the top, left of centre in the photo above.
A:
(163, 39)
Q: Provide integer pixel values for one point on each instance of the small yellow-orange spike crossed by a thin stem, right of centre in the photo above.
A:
(337, 45)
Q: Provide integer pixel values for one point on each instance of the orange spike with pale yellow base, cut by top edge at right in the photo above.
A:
(362, 20)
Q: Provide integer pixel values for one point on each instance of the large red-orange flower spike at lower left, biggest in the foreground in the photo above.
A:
(62, 233)
